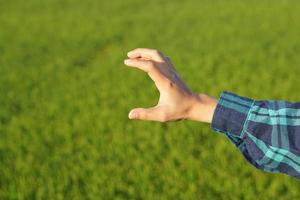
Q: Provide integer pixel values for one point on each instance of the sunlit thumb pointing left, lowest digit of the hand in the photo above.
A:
(153, 114)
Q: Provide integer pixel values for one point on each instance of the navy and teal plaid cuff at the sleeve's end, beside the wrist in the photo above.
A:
(231, 114)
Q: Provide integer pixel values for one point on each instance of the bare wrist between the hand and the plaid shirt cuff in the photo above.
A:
(202, 108)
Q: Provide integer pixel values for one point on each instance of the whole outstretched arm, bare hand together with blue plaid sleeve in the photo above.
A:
(266, 132)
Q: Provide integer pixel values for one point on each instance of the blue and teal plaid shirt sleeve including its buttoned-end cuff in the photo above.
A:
(266, 132)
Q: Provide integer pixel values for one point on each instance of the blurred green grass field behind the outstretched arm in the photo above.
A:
(65, 94)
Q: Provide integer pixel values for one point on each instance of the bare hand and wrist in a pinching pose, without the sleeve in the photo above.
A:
(176, 101)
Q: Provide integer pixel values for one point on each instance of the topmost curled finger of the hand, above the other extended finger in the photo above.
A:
(150, 54)
